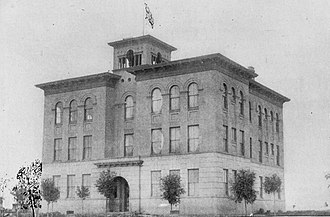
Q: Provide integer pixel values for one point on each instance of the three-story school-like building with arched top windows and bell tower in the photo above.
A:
(203, 118)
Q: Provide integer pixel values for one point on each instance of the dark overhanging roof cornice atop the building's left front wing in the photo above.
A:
(79, 83)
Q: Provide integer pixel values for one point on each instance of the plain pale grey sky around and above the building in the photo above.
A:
(287, 42)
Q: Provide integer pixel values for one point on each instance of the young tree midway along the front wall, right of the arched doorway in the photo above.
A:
(171, 189)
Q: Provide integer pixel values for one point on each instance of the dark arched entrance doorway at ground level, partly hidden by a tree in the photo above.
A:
(120, 200)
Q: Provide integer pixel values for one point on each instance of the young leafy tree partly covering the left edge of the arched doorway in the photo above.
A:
(105, 184)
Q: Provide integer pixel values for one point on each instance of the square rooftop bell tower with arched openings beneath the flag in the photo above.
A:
(141, 50)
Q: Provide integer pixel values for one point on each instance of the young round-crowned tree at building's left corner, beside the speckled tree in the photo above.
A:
(49, 192)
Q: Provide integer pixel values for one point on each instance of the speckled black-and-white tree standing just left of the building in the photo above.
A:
(29, 182)
